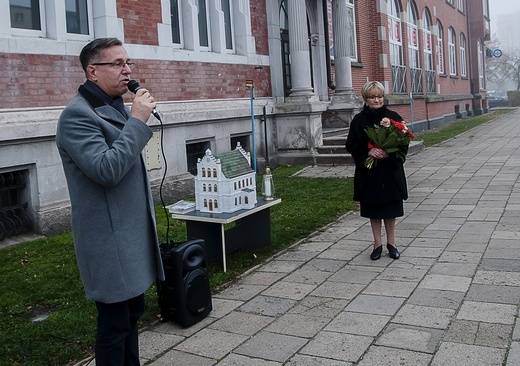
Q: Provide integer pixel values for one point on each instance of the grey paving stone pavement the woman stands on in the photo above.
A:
(451, 299)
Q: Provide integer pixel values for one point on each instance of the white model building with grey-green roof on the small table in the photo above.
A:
(225, 183)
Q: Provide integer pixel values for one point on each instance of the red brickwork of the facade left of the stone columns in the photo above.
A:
(34, 80)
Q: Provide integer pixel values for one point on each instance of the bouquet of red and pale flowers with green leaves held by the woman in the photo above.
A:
(389, 136)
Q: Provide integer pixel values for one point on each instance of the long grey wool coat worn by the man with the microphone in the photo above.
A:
(113, 222)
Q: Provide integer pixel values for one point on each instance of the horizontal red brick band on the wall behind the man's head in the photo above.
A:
(44, 81)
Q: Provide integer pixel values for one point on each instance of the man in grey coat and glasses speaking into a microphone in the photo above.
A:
(100, 142)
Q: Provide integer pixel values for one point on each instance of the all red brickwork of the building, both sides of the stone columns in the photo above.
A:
(34, 80)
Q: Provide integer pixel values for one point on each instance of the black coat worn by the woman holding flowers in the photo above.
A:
(385, 182)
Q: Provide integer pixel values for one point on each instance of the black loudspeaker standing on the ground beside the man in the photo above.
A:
(185, 294)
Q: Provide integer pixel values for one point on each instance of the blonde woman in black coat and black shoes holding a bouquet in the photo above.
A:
(381, 189)
